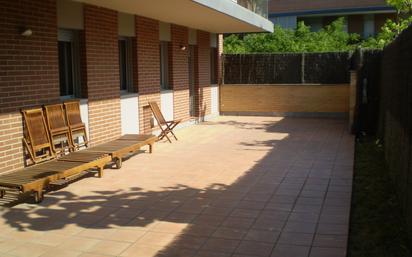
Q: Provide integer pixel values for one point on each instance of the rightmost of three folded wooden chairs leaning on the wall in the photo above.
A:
(76, 126)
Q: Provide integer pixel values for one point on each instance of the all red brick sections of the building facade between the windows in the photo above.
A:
(29, 70)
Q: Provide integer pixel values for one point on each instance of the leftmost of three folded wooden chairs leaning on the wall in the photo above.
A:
(36, 136)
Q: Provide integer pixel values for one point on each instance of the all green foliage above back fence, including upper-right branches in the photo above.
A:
(332, 37)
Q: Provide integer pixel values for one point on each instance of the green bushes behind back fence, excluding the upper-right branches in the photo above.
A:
(331, 38)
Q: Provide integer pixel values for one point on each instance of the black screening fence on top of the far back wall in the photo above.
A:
(290, 68)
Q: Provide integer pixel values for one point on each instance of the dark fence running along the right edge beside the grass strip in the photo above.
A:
(396, 116)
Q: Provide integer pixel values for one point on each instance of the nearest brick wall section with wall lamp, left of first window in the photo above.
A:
(28, 69)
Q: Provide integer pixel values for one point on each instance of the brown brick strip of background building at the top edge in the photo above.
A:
(279, 6)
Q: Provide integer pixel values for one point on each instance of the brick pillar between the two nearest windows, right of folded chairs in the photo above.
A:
(102, 78)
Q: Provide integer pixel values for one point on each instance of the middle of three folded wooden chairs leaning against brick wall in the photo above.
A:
(58, 129)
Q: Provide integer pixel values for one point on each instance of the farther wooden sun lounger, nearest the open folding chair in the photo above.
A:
(123, 146)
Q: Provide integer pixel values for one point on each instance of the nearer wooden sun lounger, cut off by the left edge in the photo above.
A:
(36, 178)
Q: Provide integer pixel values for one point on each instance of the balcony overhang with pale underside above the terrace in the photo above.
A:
(217, 16)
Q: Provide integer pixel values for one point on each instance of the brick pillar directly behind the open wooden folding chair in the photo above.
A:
(148, 68)
